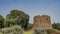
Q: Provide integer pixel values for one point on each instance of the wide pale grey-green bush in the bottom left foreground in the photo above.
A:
(12, 30)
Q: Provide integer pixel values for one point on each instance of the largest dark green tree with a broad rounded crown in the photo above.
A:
(21, 17)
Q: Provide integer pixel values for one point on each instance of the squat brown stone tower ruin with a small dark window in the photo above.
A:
(42, 22)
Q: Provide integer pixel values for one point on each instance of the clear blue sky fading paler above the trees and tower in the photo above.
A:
(33, 8)
